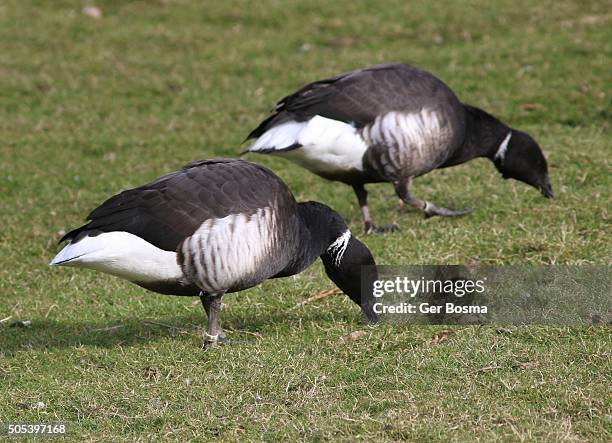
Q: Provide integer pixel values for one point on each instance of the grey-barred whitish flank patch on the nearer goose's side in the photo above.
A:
(228, 249)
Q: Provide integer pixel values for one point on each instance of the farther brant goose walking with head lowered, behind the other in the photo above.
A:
(390, 123)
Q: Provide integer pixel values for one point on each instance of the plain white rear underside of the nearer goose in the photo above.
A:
(121, 254)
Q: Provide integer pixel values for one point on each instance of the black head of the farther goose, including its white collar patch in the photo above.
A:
(522, 159)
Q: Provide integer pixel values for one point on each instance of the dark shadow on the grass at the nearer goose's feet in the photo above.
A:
(54, 334)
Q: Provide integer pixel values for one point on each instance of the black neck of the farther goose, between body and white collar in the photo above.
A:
(484, 134)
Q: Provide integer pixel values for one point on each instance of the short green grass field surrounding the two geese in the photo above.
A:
(90, 107)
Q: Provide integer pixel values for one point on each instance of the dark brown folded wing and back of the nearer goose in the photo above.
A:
(174, 206)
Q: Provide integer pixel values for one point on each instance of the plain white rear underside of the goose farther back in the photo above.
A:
(328, 145)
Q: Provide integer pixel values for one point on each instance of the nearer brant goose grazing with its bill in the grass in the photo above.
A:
(217, 226)
